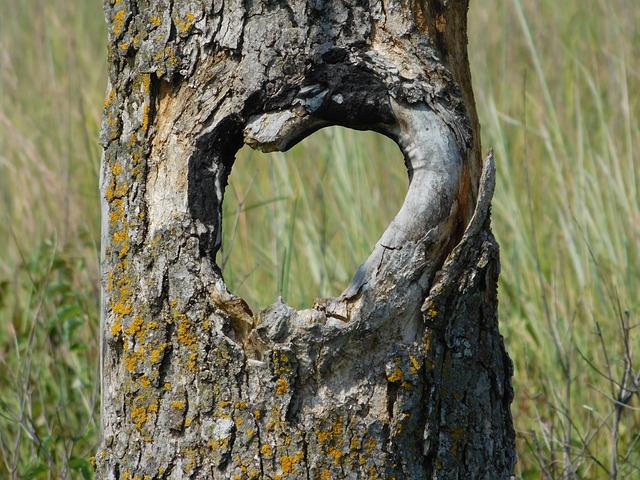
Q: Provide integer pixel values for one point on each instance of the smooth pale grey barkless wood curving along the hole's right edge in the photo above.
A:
(427, 216)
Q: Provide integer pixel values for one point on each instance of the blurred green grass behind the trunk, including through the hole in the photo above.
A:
(557, 86)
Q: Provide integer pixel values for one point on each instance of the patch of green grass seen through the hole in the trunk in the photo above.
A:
(299, 224)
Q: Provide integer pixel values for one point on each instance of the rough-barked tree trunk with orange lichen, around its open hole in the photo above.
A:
(402, 376)
